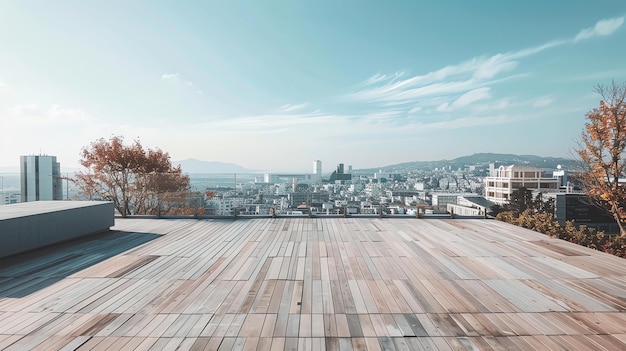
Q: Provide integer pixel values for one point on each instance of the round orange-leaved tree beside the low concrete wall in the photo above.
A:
(135, 179)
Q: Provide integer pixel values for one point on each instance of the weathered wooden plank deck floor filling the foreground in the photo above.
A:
(314, 284)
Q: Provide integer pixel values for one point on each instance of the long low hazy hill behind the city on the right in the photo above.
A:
(481, 159)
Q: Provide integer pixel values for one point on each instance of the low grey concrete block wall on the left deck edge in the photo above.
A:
(31, 225)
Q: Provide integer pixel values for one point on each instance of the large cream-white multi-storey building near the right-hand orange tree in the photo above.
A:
(506, 179)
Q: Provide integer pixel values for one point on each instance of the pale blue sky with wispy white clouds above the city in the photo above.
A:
(274, 85)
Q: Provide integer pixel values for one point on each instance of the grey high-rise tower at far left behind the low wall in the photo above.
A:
(40, 178)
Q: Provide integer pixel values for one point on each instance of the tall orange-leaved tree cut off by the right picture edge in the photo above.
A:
(601, 152)
